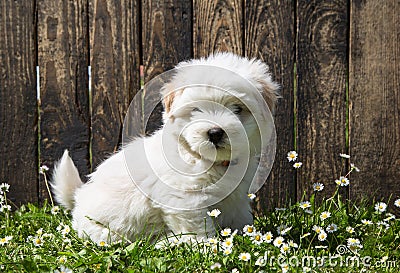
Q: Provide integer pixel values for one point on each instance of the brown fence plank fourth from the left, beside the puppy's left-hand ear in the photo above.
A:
(166, 40)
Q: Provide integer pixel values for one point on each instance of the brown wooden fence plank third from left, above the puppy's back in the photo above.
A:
(114, 58)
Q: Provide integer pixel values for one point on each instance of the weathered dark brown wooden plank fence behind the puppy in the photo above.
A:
(338, 63)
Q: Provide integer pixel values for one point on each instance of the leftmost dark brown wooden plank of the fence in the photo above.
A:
(18, 104)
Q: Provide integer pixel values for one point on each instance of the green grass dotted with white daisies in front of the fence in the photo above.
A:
(332, 235)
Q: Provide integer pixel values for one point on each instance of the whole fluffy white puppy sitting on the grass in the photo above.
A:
(204, 157)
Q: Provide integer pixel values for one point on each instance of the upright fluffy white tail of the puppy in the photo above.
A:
(65, 181)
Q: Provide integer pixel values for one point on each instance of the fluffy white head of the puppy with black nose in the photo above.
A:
(213, 106)
